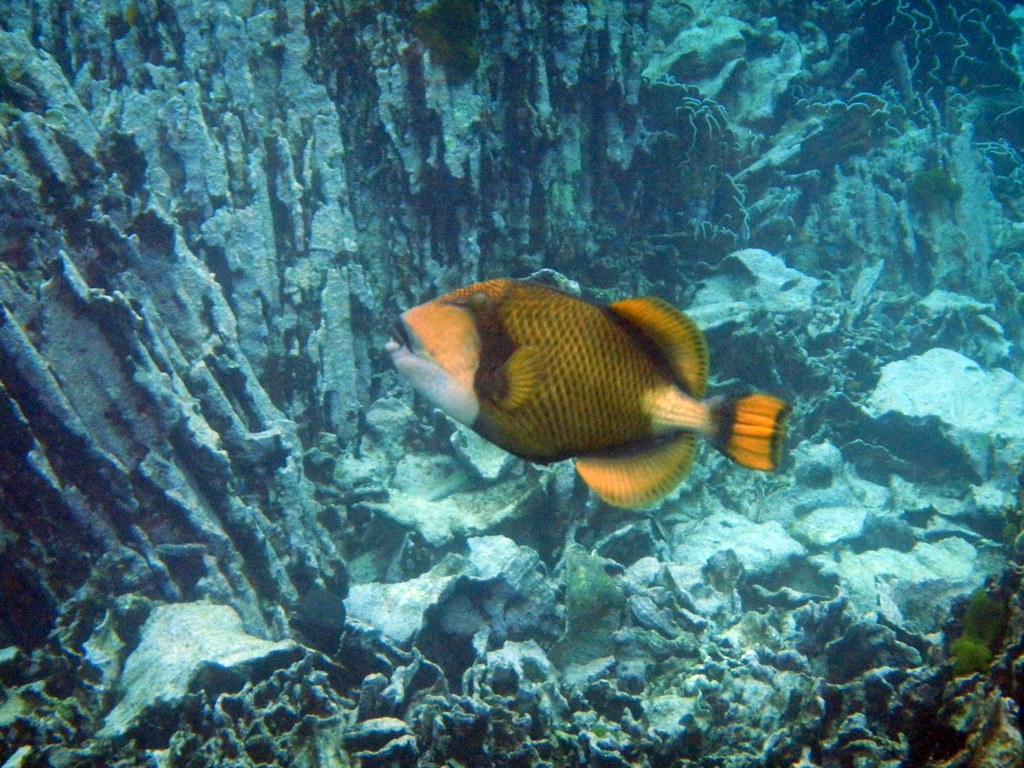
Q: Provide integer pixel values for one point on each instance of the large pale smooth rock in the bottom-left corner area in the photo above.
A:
(179, 643)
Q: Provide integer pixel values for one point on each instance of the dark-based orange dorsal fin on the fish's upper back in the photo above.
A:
(675, 335)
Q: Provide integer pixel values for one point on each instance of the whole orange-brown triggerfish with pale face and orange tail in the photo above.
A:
(619, 389)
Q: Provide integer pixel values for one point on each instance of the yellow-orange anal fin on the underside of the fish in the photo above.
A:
(642, 479)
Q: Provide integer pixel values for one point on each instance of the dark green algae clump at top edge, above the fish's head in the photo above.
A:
(449, 29)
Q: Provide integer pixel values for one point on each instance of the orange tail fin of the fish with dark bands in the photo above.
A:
(750, 430)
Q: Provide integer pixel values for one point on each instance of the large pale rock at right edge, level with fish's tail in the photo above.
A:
(979, 414)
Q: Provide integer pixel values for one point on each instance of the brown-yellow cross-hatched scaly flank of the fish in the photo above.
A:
(589, 398)
